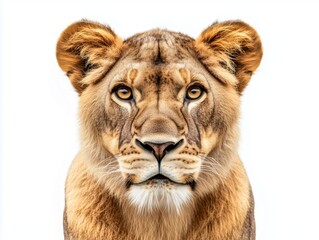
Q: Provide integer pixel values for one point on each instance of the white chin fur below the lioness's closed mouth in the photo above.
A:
(158, 196)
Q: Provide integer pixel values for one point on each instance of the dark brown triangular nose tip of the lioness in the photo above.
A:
(158, 149)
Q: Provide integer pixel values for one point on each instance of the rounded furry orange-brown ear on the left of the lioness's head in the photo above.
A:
(85, 50)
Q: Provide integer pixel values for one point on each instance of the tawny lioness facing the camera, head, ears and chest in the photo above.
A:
(159, 133)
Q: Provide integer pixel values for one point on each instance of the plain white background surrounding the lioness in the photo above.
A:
(279, 123)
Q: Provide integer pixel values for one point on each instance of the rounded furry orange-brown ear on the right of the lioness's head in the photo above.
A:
(231, 46)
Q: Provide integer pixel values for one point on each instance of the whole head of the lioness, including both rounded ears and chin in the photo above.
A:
(159, 110)
